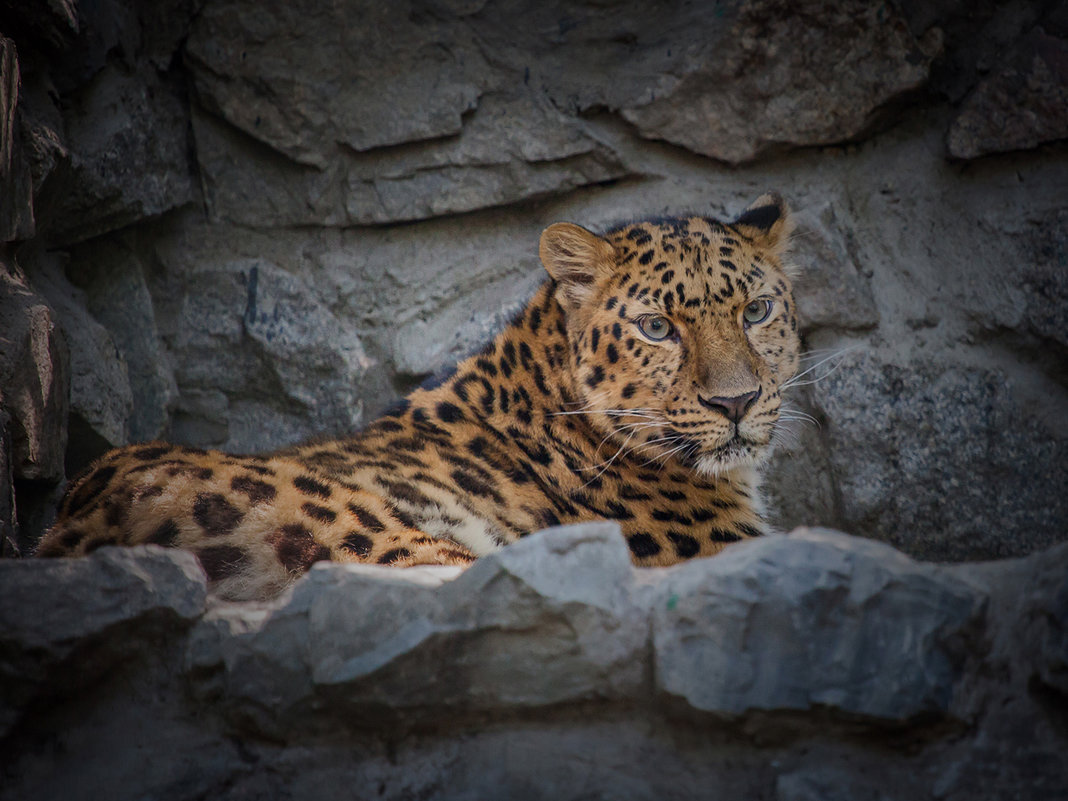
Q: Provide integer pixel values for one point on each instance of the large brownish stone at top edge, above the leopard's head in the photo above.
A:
(788, 74)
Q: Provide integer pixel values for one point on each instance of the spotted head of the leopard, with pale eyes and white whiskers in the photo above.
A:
(683, 333)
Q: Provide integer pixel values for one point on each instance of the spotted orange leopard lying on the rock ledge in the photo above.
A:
(642, 384)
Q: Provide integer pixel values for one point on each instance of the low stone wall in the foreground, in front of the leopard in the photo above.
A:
(812, 668)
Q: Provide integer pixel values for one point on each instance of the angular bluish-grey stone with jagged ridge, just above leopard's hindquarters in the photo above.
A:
(256, 344)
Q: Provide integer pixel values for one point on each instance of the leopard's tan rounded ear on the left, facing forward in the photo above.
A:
(575, 258)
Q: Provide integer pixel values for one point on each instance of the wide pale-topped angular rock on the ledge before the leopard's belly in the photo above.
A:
(311, 665)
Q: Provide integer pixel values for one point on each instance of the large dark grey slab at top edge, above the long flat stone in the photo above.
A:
(388, 80)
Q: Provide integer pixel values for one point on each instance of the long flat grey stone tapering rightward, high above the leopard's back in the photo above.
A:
(510, 150)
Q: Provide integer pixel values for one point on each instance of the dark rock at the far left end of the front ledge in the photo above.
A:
(100, 610)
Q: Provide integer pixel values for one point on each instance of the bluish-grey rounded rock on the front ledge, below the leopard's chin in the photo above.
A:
(816, 621)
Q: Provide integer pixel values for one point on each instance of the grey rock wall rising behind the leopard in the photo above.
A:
(241, 225)
